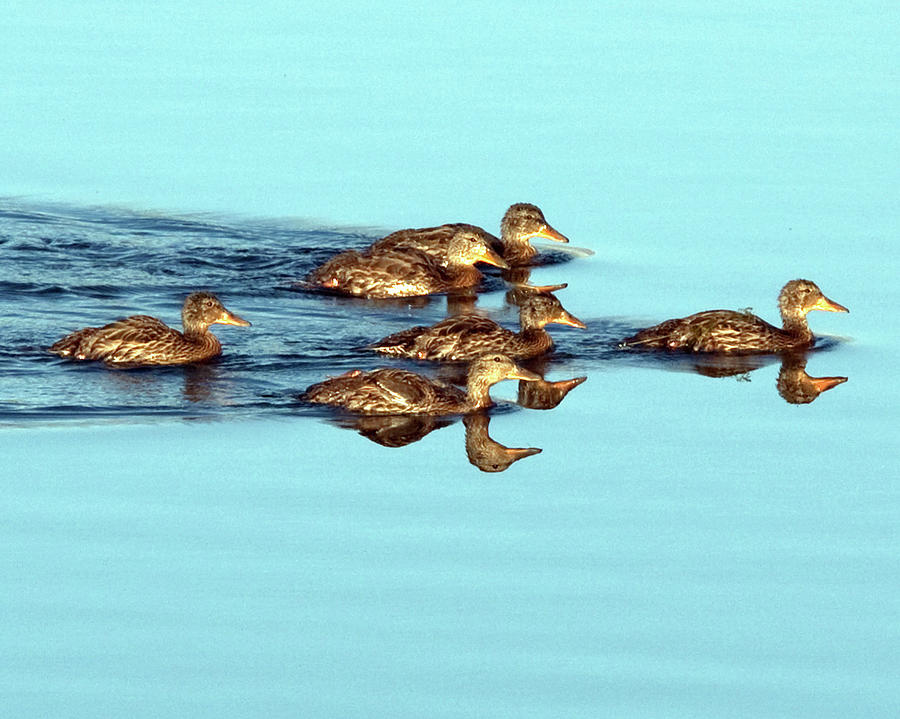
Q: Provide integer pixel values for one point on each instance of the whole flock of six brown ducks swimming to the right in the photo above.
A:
(432, 260)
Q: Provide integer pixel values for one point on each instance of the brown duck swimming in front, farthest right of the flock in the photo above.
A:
(727, 331)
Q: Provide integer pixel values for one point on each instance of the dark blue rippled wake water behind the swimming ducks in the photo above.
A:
(70, 267)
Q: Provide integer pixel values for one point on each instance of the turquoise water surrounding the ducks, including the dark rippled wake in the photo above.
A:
(194, 542)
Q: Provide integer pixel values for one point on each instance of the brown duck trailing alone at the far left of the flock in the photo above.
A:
(141, 340)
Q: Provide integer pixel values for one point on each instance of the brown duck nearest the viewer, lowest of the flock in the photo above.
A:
(399, 391)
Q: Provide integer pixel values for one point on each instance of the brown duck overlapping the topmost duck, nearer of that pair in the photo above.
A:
(383, 273)
